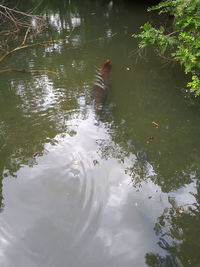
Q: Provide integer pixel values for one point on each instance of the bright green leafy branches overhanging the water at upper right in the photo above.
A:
(182, 42)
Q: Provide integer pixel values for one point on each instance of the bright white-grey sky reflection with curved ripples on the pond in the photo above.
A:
(74, 208)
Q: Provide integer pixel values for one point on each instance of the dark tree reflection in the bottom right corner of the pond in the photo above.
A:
(179, 233)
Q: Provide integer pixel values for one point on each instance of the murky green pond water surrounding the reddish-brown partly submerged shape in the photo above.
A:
(79, 187)
